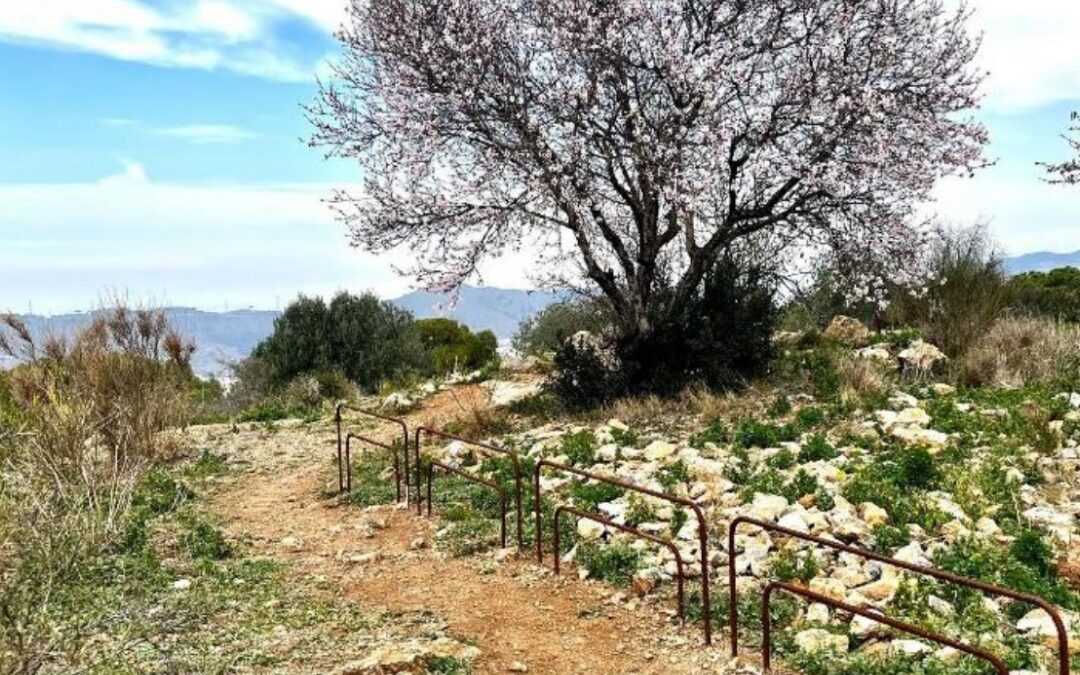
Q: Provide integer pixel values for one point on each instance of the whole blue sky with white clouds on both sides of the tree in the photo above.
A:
(154, 148)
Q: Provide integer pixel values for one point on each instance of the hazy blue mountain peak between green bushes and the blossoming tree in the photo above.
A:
(482, 308)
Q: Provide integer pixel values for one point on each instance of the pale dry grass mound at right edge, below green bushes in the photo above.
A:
(1021, 350)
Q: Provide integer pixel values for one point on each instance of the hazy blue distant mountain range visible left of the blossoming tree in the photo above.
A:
(224, 337)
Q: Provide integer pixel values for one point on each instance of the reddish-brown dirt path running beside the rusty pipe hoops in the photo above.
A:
(516, 612)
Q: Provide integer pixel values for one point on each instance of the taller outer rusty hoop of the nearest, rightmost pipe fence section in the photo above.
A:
(1063, 637)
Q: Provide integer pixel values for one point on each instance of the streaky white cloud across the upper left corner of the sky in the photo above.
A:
(235, 35)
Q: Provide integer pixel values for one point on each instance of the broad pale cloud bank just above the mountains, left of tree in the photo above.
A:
(65, 245)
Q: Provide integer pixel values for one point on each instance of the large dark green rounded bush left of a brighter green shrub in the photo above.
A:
(367, 340)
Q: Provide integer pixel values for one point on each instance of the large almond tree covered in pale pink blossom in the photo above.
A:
(649, 138)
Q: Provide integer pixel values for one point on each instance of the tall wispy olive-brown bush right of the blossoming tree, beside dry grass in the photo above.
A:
(966, 293)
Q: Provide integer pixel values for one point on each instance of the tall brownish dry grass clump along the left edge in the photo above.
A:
(83, 422)
